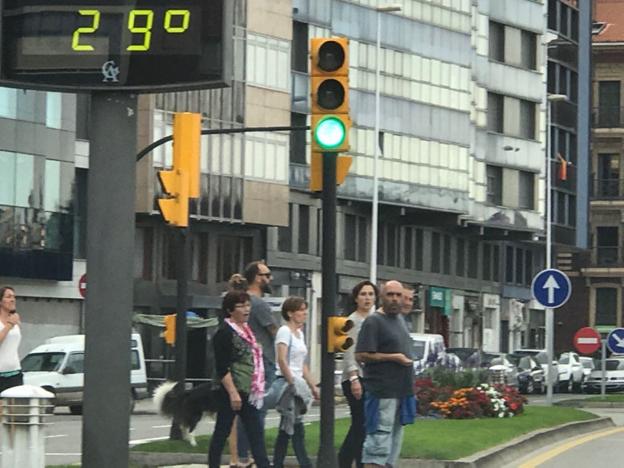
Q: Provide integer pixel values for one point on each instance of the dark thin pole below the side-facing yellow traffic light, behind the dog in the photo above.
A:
(181, 305)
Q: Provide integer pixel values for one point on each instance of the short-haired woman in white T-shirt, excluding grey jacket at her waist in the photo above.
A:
(291, 352)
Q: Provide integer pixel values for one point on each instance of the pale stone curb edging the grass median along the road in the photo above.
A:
(492, 458)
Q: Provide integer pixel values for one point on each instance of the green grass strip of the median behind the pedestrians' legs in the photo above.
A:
(427, 438)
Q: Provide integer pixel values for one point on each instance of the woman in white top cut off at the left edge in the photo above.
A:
(10, 337)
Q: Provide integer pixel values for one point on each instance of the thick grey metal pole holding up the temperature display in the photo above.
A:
(110, 268)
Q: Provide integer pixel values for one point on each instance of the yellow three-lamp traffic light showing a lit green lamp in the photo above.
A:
(329, 89)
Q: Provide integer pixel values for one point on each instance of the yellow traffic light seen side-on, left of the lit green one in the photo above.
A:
(181, 182)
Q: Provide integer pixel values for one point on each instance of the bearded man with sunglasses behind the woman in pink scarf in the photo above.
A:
(264, 327)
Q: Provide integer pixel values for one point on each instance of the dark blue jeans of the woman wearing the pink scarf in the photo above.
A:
(249, 417)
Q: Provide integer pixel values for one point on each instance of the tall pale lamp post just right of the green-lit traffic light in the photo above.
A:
(375, 213)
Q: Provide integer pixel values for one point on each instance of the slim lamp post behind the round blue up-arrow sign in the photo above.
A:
(550, 351)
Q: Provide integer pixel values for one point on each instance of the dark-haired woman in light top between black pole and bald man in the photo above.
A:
(364, 296)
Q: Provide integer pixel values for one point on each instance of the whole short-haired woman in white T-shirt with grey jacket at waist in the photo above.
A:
(293, 389)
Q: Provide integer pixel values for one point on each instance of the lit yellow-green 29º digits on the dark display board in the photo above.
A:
(140, 24)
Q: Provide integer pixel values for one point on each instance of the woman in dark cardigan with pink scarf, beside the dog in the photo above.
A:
(241, 373)
